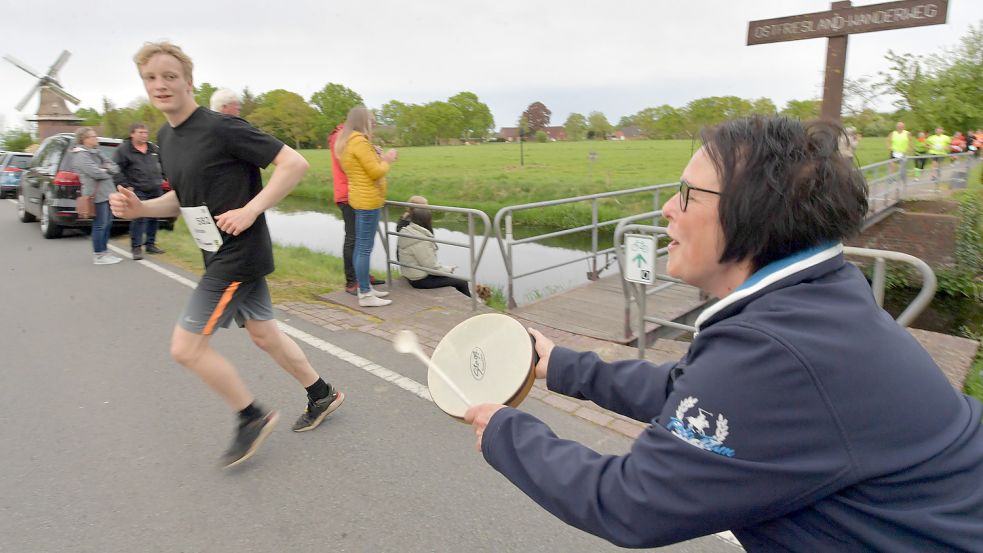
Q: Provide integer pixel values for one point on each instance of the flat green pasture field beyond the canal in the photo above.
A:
(489, 176)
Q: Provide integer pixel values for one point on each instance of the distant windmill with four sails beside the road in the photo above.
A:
(53, 116)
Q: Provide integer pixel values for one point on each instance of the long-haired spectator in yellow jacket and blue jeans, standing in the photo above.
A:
(366, 168)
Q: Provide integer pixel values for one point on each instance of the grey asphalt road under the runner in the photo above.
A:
(107, 445)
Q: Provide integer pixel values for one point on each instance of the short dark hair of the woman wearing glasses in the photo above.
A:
(785, 187)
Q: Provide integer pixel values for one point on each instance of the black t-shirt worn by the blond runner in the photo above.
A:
(214, 160)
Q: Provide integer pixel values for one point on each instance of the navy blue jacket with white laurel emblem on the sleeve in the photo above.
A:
(802, 418)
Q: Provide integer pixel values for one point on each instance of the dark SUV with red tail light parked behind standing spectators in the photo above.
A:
(49, 187)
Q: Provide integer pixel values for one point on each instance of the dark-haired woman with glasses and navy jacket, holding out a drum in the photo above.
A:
(802, 418)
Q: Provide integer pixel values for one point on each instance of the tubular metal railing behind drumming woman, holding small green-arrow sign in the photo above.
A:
(637, 294)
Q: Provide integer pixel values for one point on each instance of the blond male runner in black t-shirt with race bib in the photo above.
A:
(213, 162)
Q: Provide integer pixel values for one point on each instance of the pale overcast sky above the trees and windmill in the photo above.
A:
(614, 56)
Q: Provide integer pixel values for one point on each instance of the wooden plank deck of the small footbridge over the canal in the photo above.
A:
(597, 309)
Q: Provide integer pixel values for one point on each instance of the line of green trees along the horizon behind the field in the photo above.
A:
(941, 89)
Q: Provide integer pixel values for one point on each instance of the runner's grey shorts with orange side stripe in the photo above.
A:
(215, 303)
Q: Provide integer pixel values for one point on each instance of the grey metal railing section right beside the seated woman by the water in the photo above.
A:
(475, 251)
